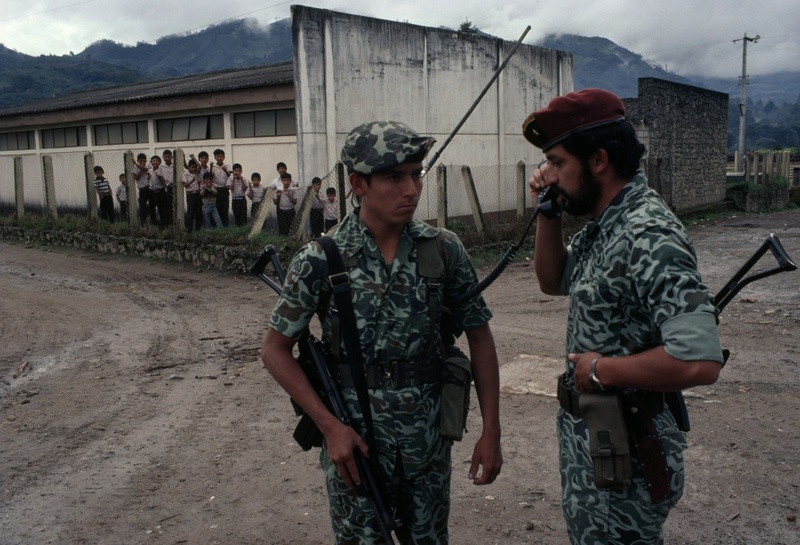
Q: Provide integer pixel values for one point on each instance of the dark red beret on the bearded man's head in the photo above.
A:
(579, 110)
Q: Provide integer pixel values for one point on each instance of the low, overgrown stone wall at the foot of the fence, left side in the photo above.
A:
(224, 258)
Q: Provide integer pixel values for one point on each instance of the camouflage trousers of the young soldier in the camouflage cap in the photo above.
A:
(422, 503)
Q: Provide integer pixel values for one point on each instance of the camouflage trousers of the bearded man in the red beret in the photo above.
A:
(611, 517)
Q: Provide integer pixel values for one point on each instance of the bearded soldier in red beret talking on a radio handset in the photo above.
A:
(639, 315)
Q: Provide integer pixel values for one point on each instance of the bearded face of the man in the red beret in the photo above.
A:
(579, 189)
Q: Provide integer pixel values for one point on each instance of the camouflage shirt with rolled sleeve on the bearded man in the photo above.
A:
(633, 283)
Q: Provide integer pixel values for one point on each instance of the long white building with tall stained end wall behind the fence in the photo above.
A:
(346, 70)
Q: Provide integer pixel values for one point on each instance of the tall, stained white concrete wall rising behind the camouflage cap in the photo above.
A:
(351, 69)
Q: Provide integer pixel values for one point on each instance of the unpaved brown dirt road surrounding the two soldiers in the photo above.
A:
(134, 409)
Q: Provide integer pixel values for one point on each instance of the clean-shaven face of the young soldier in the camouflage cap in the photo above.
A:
(392, 194)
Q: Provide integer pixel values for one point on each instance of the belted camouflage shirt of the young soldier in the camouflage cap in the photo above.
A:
(391, 307)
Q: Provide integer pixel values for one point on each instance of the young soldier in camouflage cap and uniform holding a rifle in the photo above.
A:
(378, 243)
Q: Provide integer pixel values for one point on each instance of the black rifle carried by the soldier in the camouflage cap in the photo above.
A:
(312, 361)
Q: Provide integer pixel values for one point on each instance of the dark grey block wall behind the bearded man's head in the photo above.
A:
(685, 130)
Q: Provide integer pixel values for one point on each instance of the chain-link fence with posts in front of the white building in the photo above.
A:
(472, 199)
